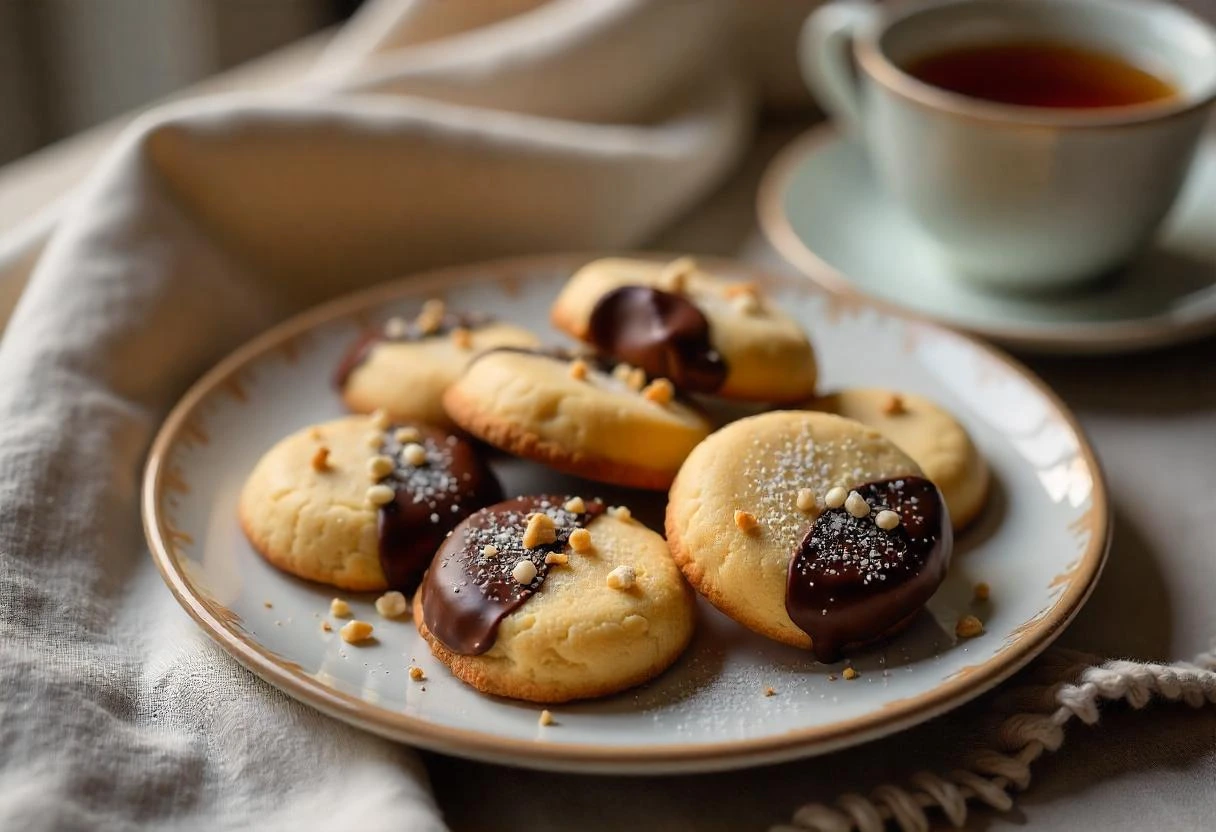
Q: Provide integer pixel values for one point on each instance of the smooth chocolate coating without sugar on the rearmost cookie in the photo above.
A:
(662, 333)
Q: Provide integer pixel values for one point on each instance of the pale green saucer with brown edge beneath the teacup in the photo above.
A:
(823, 209)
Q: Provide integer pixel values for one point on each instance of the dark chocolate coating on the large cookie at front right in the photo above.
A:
(851, 582)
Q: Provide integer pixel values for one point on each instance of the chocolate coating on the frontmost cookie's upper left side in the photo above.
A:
(466, 595)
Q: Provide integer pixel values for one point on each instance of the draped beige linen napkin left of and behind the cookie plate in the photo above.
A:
(431, 133)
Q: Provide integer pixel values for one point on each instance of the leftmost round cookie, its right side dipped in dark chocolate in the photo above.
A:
(362, 503)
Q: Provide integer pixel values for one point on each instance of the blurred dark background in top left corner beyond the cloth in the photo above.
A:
(67, 65)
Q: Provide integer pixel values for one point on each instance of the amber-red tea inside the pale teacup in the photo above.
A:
(1042, 75)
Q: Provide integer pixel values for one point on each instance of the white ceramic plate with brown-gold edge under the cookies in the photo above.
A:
(1040, 546)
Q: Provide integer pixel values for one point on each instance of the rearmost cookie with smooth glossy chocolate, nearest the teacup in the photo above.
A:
(680, 322)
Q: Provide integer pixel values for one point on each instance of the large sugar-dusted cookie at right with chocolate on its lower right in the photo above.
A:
(808, 529)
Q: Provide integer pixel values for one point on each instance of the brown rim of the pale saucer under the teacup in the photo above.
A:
(1073, 338)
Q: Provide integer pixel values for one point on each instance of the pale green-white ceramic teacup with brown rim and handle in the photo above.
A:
(1020, 198)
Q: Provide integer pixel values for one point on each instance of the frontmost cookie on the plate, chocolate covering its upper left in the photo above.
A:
(551, 599)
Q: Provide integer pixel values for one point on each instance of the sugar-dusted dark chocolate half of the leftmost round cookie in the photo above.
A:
(430, 502)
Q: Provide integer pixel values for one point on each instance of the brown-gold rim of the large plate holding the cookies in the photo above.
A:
(589, 757)
